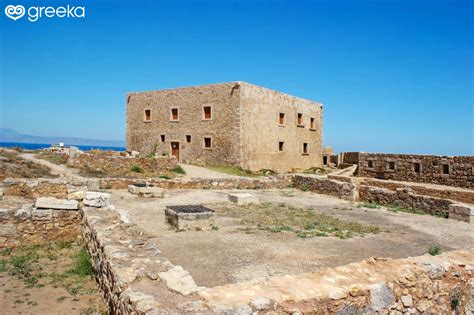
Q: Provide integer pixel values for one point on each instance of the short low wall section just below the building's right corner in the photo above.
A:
(341, 189)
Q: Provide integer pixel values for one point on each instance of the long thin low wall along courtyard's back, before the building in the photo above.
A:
(221, 183)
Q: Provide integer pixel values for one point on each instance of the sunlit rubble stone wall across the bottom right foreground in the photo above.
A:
(426, 284)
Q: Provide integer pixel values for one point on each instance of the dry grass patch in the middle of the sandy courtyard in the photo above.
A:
(304, 223)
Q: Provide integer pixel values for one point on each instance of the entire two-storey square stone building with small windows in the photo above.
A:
(233, 123)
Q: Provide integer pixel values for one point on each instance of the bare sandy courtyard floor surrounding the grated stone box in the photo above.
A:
(230, 255)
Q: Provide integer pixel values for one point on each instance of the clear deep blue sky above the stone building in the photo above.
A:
(394, 76)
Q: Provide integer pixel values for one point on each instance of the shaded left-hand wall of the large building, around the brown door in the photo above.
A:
(223, 128)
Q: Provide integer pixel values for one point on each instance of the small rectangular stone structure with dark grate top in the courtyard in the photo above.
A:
(189, 217)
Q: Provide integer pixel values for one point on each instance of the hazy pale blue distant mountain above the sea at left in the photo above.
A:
(9, 135)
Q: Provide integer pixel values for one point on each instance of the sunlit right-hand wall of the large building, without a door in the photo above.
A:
(262, 131)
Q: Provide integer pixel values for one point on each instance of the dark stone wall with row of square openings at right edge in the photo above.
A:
(461, 168)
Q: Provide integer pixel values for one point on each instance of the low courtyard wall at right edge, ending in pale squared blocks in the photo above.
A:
(406, 198)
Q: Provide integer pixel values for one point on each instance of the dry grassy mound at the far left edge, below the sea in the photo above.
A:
(11, 165)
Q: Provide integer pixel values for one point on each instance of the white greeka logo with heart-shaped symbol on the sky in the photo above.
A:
(16, 12)
